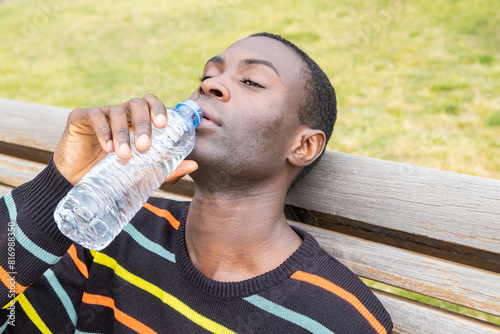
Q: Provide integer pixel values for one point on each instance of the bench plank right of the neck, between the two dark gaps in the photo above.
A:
(459, 284)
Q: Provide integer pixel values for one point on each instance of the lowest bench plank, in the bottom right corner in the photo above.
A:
(410, 317)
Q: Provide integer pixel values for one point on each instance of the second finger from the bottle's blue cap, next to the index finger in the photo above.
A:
(141, 123)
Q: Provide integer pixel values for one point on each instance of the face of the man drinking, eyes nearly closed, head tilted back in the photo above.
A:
(246, 93)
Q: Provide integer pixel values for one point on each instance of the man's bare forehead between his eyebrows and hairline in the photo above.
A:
(285, 61)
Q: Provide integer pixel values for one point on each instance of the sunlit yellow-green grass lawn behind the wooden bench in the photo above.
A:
(417, 81)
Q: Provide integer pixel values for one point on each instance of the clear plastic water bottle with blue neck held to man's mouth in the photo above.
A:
(112, 192)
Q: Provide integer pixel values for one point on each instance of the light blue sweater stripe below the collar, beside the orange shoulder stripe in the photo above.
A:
(288, 315)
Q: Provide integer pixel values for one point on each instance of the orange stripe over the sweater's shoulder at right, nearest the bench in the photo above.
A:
(347, 296)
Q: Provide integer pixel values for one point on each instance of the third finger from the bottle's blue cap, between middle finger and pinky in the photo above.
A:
(118, 120)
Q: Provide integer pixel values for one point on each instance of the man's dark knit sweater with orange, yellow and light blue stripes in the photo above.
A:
(144, 281)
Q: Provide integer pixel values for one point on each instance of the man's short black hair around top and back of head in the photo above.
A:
(319, 109)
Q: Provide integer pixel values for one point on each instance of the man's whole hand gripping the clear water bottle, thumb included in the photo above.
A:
(92, 133)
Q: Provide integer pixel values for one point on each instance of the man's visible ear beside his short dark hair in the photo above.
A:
(307, 146)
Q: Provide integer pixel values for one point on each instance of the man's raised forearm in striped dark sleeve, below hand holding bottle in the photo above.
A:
(30, 241)
